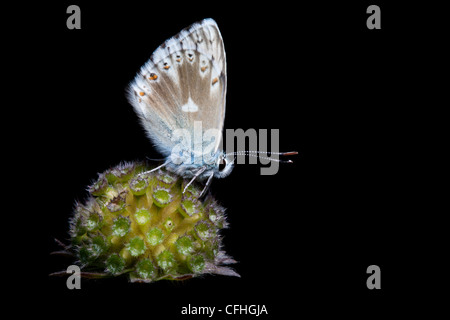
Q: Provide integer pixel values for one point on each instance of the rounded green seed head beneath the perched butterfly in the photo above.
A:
(140, 223)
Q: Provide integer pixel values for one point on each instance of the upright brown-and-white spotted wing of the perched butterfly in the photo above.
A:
(183, 82)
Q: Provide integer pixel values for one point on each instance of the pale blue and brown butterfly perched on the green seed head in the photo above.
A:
(179, 96)
